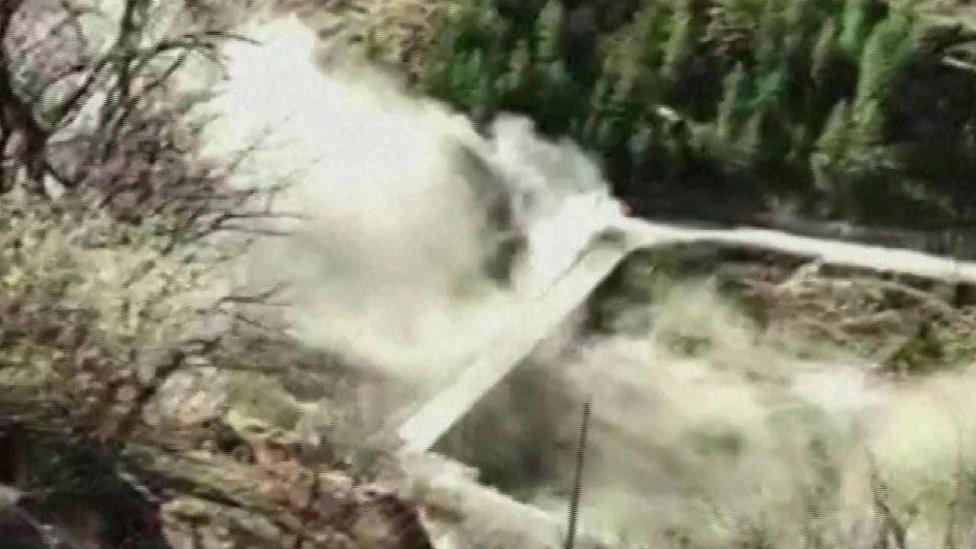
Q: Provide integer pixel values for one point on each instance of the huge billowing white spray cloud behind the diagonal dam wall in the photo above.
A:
(388, 265)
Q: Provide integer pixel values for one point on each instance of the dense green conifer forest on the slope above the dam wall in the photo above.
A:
(858, 110)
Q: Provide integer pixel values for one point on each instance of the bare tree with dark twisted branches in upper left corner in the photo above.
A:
(139, 151)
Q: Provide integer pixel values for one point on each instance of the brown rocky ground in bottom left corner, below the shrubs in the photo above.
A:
(149, 496)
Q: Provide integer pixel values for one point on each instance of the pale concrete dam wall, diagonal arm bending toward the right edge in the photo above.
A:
(422, 430)
